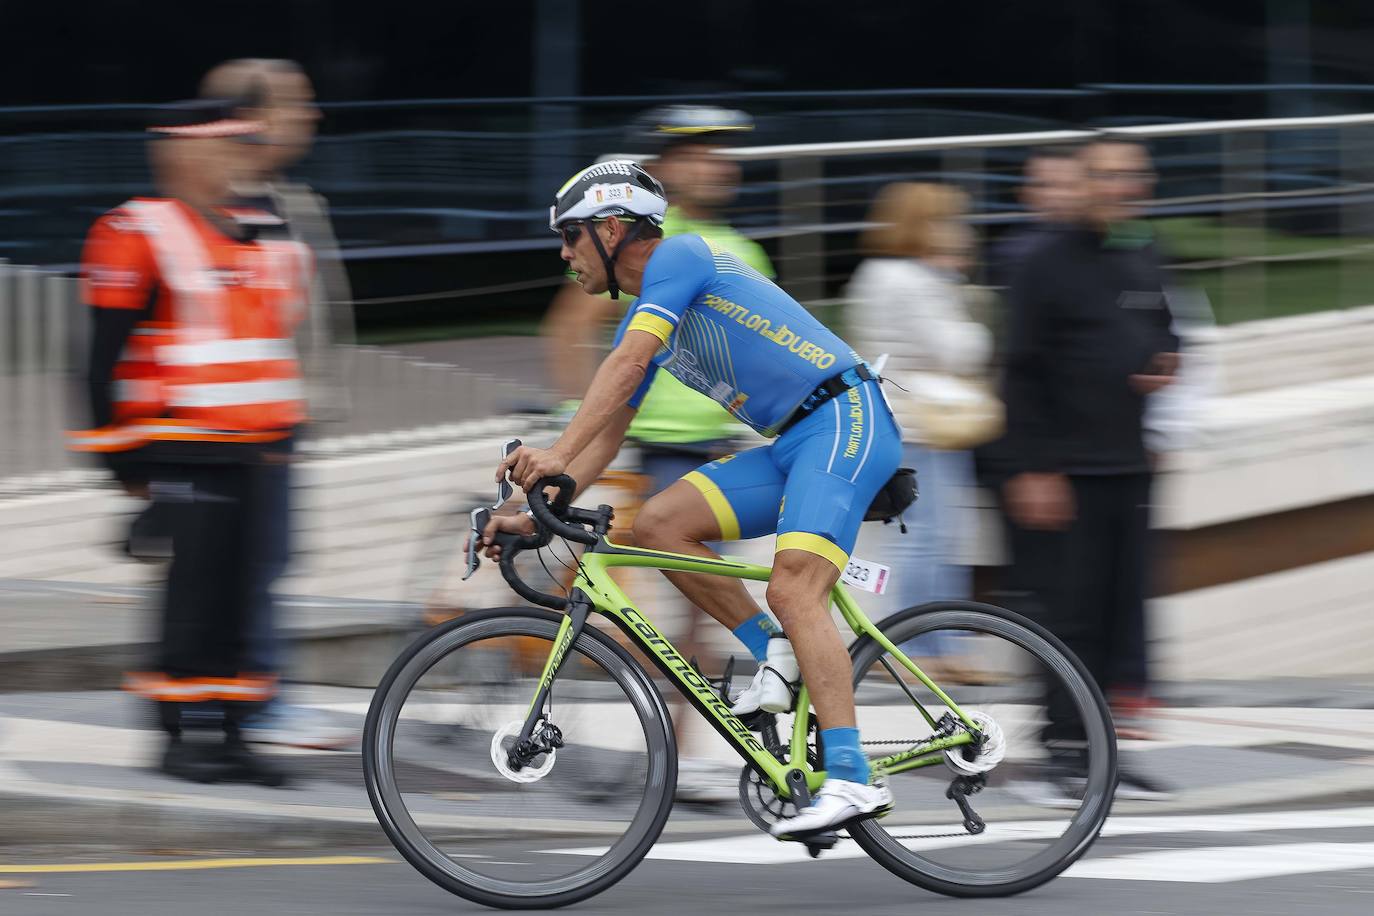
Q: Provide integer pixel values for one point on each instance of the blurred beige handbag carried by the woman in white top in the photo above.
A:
(951, 413)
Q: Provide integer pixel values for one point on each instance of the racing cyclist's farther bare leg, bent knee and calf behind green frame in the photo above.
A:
(679, 520)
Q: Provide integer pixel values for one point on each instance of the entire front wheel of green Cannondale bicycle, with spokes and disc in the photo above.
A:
(556, 830)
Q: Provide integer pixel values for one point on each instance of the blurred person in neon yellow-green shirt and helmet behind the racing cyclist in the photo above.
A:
(677, 429)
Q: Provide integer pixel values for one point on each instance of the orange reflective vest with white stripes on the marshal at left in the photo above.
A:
(215, 360)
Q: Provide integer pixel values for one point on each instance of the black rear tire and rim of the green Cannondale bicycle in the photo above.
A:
(1049, 650)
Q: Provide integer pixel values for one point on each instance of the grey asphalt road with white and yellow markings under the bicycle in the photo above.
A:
(1177, 866)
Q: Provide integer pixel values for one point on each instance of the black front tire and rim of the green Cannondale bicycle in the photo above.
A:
(398, 822)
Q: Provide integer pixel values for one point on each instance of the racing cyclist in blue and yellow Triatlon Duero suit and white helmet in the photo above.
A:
(728, 332)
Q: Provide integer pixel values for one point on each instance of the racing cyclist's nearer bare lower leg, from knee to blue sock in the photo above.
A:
(799, 595)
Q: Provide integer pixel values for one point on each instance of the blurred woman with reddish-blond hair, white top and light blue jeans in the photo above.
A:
(906, 301)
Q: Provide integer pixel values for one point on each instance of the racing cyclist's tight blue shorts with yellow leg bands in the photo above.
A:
(814, 484)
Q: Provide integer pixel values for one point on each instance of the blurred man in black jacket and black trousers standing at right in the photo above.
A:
(1089, 341)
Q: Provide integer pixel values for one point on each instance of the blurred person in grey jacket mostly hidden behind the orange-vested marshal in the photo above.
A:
(280, 95)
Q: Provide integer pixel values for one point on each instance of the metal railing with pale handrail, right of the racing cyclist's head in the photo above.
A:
(1274, 192)
